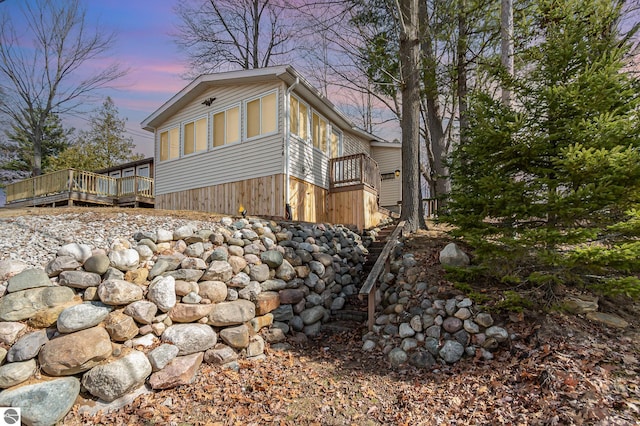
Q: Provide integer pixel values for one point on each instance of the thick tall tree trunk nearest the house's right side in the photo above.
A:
(409, 57)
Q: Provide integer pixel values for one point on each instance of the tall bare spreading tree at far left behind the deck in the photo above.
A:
(45, 75)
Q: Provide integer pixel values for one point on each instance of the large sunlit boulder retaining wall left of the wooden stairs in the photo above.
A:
(152, 308)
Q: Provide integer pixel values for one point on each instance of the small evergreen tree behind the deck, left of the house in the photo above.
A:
(104, 145)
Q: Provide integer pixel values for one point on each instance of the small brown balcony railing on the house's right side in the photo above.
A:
(354, 170)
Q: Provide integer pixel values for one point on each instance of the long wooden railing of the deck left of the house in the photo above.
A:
(71, 180)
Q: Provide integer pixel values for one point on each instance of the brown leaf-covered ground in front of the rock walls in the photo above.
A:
(560, 370)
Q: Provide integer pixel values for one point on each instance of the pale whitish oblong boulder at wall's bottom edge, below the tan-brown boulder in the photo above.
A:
(115, 379)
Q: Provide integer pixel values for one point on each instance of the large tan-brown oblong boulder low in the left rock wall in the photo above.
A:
(76, 352)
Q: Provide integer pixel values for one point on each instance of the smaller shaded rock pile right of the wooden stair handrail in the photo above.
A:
(420, 328)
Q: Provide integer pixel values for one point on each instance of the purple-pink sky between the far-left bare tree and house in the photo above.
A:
(143, 45)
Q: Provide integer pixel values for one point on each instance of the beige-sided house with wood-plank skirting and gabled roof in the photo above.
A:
(266, 141)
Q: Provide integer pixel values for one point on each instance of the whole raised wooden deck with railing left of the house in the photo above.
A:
(70, 186)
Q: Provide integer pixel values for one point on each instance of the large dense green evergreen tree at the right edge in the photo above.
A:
(548, 190)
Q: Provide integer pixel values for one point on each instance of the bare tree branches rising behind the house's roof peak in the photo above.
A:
(228, 34)
